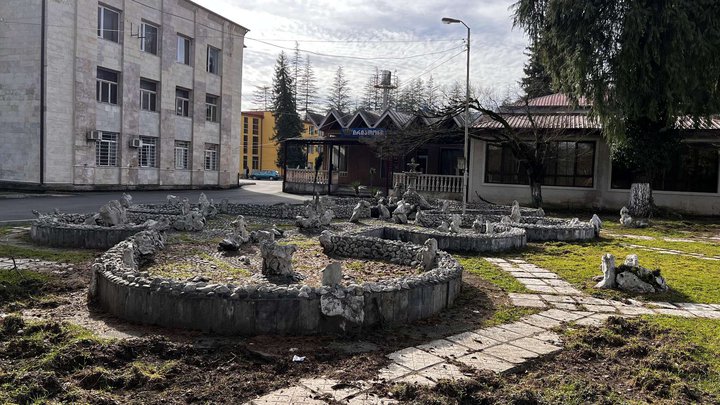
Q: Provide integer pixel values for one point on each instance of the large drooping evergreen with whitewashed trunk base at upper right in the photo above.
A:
(642, 64)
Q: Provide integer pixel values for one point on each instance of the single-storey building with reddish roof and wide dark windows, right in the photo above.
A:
(579, 171)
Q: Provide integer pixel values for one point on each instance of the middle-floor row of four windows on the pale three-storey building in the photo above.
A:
(107, 92)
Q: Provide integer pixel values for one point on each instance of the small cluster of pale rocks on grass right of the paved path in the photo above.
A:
(630, 276)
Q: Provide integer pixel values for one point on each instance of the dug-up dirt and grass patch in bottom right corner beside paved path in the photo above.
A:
(623, 361)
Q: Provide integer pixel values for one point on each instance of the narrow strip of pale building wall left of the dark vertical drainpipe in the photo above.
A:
(20, 89)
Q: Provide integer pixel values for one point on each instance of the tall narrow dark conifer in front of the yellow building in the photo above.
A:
(287, 121)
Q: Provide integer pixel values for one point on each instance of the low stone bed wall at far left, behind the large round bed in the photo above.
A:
(69, 235)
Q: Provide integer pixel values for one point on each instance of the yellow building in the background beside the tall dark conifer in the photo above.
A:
(258, 151)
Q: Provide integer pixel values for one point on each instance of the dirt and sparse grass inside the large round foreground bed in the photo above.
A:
(185, 260)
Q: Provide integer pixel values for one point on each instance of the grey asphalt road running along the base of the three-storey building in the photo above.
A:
(20, 209)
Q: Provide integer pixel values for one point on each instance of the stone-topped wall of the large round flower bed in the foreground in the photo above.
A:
(122, 290)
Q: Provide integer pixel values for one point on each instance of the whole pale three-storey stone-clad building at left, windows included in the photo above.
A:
(118, 94)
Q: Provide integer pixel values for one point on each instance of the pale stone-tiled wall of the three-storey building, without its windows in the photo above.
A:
(74, 52)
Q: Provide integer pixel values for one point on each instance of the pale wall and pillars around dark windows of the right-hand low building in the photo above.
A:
(600, 197)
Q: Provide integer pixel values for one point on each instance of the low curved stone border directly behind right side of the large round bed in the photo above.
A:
(505, 238)
